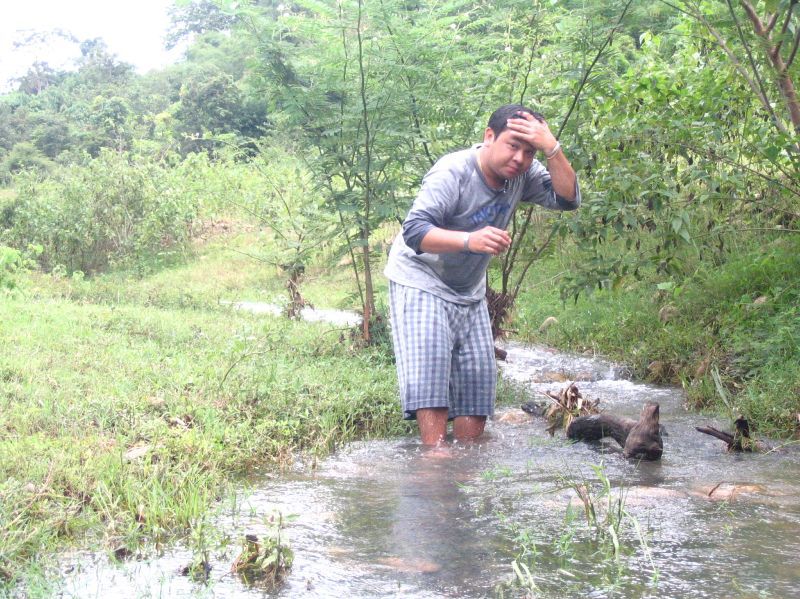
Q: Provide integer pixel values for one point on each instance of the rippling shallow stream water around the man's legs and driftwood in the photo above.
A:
(388, 519)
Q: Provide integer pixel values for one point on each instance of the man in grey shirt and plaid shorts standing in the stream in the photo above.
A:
(437, 268)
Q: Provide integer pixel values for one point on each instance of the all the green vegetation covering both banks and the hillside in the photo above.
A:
(292, 137)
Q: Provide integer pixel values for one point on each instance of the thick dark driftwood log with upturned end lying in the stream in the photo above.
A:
(639, 439)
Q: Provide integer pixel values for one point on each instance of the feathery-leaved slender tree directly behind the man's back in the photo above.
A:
(375, 91)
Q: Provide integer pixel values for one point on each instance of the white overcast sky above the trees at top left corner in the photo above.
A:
(134, 30)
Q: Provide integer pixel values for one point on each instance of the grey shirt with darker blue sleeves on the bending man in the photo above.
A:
(454, 195)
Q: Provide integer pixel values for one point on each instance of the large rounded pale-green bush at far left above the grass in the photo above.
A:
(116, 210)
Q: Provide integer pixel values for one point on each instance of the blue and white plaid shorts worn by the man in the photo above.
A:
(444, 353)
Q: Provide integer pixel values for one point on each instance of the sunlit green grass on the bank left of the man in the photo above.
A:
(100, 368)
